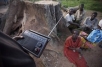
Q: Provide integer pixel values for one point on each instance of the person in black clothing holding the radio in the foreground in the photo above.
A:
(12, 54)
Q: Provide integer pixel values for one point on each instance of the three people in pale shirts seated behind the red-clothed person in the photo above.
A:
(75, 20)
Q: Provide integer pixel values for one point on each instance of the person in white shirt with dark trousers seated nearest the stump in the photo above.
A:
(70, 20)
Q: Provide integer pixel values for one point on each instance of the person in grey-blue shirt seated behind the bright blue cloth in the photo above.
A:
(90, 23)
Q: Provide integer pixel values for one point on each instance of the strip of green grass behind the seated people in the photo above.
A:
(89, 4)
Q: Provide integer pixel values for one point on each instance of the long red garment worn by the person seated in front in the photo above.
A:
(74, 56)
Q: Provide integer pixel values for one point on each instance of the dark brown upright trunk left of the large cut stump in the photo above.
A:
(13, 16)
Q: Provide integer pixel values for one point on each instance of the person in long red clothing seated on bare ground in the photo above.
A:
(72, 50)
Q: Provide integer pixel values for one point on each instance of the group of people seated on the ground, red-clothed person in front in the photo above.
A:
(76, 22)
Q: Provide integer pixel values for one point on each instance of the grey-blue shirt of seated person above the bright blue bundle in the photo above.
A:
(90, 24)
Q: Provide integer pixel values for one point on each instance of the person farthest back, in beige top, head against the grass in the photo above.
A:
(80, 14)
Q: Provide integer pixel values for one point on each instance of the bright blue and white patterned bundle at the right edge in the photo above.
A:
(95, 36)
